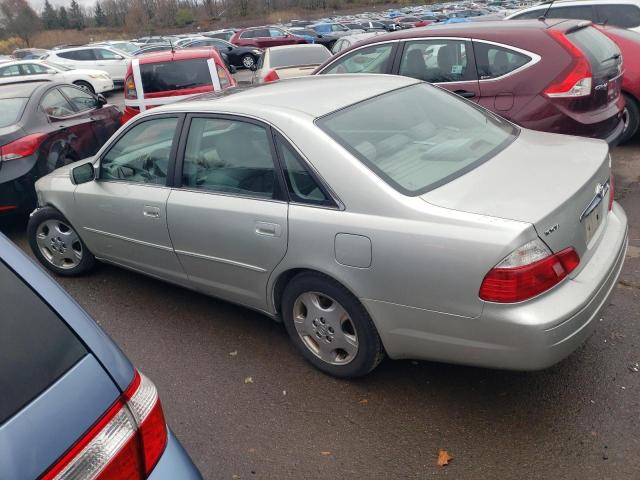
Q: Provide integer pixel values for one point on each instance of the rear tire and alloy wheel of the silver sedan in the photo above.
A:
(330, 327)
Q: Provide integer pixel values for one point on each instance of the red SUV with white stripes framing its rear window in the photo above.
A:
(168, 76)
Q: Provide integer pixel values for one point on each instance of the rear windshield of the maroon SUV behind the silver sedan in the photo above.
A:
(603, 54)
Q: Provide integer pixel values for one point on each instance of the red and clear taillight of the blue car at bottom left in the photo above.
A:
(126, 443)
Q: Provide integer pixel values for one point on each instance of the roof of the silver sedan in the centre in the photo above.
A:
(330, 93)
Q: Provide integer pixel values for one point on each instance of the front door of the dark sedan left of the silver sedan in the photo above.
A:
(104, 121)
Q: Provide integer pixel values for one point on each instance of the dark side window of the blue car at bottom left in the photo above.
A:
(36, 346)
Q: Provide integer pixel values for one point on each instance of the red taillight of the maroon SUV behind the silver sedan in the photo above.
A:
(578, 81)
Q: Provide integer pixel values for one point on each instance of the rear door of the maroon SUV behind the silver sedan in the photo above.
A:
(447, 62)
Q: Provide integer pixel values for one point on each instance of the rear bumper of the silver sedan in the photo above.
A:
(531, 335)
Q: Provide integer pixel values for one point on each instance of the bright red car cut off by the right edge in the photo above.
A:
(629, 43)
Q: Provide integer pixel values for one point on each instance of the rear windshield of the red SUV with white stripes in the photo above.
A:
(178, 75)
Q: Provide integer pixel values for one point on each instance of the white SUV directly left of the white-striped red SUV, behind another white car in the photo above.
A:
(111, 60)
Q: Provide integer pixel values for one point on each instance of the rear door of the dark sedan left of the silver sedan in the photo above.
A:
(72, 137)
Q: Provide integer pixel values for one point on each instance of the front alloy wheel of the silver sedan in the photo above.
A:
(59, 244)
